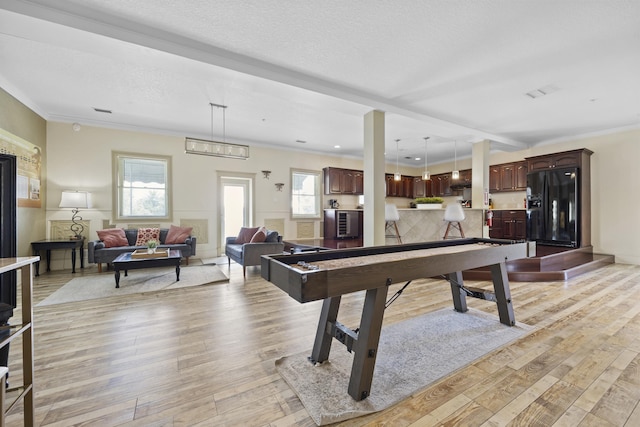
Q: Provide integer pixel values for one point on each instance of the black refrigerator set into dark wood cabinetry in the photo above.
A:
(553, 207)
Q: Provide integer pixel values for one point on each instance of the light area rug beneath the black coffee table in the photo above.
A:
(138, 281)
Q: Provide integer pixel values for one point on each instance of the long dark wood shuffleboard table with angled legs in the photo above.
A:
(327, 275)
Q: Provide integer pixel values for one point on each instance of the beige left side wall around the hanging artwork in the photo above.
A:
(19, 120)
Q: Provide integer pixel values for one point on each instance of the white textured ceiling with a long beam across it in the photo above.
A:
(289, 70)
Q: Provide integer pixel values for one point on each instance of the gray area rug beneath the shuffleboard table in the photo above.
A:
(412, 355)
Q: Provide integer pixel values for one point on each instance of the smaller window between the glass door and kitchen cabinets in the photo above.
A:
(305, 194)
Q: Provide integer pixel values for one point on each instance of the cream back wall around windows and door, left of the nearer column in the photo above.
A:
(82, 160)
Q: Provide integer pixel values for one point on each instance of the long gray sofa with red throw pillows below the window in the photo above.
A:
(100, 251)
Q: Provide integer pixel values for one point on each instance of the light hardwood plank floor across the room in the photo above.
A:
(204, 356)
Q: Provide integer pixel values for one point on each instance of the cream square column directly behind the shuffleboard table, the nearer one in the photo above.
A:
(374, 183)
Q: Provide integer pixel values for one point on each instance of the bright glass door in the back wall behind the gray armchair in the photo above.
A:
(236, 205)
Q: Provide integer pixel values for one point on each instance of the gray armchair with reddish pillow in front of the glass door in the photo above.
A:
(250, 244)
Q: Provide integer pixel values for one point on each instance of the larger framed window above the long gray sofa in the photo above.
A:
(142, 187)
